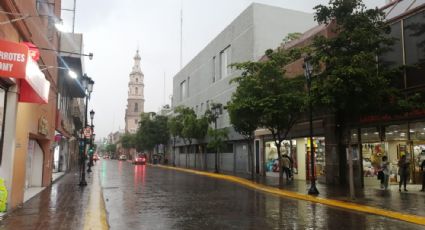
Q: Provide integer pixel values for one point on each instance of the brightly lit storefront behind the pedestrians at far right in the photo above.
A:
(393, 141)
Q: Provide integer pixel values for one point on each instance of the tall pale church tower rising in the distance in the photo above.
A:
(135, 99)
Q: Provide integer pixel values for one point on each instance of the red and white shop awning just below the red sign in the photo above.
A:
(34, 87)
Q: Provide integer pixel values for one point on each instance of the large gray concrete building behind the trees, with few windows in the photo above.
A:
(205, 79)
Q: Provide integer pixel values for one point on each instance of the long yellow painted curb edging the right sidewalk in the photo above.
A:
(330, 202)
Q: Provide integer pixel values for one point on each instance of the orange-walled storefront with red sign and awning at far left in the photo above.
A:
(27, 91)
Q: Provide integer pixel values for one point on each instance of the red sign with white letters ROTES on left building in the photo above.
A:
(13, 59)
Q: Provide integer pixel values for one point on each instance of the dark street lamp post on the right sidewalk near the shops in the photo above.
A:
(308, 71)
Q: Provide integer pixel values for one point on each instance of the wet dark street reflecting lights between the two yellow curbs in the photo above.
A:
(147, 197)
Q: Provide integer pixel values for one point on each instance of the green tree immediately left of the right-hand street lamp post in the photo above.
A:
(277, 100)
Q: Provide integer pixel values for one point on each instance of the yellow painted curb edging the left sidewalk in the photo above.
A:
(95, 217)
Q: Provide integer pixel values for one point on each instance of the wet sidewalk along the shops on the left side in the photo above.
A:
(63, 205)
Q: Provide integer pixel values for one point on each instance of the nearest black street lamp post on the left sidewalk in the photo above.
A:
(87, 84)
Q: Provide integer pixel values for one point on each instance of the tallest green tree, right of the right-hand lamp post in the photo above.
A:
(351, 83)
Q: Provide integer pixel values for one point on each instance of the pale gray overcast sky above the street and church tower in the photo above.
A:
(114, 29)
